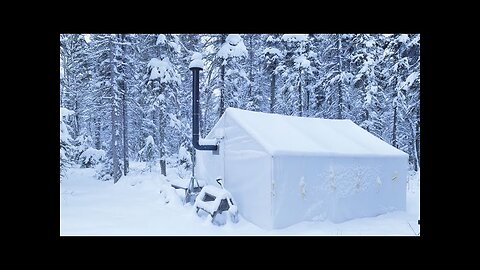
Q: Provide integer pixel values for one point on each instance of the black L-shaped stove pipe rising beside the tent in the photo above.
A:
(196, 113)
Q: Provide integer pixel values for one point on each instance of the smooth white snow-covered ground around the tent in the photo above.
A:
(135, 206)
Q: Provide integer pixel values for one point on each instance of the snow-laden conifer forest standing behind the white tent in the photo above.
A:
(127, 97)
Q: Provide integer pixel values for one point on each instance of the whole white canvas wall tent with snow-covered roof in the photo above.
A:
(283, 169)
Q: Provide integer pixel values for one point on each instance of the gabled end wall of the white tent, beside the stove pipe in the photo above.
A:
(246, 169)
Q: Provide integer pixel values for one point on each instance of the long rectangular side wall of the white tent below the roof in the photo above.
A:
(336, 188)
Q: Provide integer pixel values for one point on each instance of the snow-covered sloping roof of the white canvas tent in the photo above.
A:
(281, 134)
